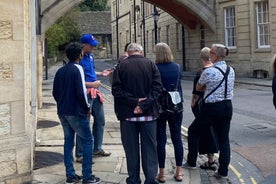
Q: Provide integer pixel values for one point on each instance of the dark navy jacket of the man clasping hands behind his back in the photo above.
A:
(136, 77)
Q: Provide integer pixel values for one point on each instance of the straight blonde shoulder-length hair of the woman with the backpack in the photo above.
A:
(163, 53)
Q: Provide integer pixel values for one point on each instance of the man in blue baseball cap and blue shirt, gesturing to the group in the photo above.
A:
(94, 96)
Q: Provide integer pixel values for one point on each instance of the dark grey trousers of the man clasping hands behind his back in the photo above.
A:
(132, 134)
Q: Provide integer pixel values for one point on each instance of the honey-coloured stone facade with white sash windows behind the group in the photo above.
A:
(247, 28)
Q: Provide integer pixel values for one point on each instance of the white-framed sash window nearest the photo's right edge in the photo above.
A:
(262, 23)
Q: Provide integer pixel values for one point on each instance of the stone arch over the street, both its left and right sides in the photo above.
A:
(188, 12)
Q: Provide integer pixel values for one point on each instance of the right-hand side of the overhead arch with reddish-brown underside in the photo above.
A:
(190, 12)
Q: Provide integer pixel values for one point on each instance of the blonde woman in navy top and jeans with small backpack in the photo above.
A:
(171, 77)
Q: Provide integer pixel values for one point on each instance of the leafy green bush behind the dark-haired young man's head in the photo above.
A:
(64, 31)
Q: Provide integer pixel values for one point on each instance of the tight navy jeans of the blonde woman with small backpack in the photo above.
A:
(174, 123)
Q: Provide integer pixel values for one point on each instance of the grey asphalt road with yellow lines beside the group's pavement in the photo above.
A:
(252, 134)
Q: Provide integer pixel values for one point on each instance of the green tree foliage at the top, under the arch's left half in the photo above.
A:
(94, 5)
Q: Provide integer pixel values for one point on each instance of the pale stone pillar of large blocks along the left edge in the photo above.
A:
(16, 120)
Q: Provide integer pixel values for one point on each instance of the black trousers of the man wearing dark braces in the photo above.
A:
(219, 116)
